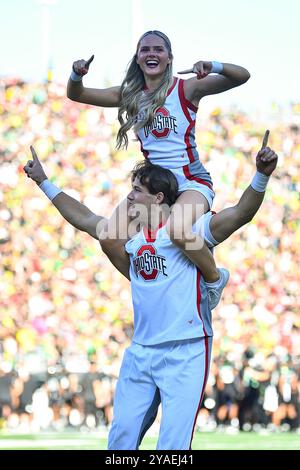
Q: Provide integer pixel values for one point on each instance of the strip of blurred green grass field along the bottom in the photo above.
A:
(202, 441)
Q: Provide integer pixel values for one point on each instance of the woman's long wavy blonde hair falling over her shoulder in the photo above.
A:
(139, 108)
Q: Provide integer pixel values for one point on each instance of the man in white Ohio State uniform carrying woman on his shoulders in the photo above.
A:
(168, 360)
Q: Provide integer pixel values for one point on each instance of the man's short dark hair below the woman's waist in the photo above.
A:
(157, 179)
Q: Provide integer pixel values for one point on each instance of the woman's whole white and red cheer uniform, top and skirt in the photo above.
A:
(170, 142)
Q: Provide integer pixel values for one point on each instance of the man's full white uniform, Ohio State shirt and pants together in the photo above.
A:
(168, 361)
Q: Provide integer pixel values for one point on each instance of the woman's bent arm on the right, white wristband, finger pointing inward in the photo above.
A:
(211, 78)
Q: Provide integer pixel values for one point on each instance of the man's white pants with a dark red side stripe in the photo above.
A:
(173, 373)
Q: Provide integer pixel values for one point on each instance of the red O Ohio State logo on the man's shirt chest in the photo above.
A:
(148, 264)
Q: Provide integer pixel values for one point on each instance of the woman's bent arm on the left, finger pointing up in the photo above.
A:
(107, 97)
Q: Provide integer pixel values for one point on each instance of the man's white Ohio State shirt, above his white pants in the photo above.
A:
(169, 294)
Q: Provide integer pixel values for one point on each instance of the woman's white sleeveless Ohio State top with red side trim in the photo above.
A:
(170, 139)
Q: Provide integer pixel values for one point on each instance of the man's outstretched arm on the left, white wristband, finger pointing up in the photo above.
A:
(74, 212)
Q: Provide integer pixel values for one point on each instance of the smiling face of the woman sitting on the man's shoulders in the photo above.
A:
(152, 55)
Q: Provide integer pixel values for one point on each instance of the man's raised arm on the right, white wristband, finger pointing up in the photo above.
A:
(227, 221)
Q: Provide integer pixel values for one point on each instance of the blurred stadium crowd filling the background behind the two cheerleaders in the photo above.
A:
(66, 314)
